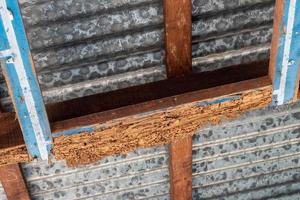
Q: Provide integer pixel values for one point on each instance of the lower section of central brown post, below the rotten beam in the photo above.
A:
(181, 169)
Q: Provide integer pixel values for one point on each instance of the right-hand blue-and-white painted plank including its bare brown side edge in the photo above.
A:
(285, 58)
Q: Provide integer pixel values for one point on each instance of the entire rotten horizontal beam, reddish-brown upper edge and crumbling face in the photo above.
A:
(151, 123)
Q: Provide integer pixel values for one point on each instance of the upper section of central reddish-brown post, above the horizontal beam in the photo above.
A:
(178, 37)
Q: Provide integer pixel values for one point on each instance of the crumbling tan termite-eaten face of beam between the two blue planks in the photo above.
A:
(155, 129)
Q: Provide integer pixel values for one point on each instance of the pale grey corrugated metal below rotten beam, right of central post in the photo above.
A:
(253, 158)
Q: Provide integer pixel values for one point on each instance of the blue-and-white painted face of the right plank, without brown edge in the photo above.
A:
(288, 54)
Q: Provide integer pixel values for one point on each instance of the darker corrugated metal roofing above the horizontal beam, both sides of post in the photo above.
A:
(86, 47)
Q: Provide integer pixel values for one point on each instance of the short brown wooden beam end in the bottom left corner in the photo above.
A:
(13, 182)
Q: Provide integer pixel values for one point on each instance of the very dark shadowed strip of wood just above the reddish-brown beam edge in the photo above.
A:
(161, 89)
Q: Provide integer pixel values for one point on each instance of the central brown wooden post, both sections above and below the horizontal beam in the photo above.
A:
(178, 48)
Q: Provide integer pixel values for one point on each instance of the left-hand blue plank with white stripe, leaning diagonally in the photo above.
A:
(22, 83)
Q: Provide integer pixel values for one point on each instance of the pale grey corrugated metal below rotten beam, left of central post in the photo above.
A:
(142, 174)
